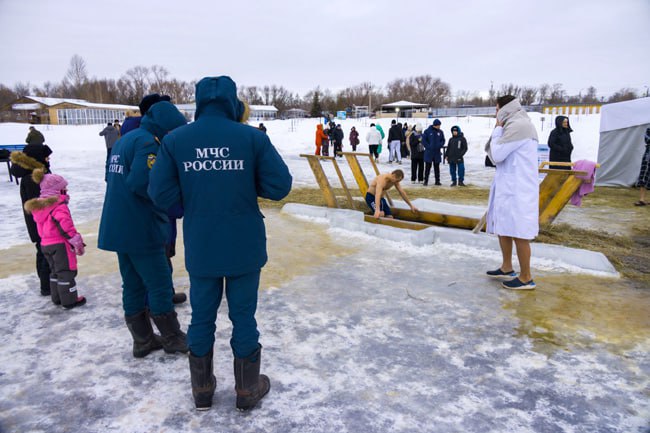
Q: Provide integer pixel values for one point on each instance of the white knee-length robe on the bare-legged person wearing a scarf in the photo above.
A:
(513, 207)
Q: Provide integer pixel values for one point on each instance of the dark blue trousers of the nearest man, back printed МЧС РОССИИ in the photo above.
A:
(205, 297)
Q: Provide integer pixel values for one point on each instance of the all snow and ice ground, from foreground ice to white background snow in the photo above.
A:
(360, 334)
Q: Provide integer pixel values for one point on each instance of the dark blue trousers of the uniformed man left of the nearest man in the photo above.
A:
(146, 275)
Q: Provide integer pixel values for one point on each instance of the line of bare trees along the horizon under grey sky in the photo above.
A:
(141, 80)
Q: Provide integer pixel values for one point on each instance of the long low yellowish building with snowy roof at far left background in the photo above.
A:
(60, 111)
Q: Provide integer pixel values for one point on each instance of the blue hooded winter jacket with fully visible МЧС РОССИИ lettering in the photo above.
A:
(218, 168)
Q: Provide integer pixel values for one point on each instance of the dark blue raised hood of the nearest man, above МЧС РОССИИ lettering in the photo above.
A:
(218, 95)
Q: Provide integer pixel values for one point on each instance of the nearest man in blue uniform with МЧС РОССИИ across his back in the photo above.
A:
(218, 167)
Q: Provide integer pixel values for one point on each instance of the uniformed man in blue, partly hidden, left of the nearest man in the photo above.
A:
(137, 230)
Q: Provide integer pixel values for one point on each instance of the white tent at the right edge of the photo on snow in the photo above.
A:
(622, 128)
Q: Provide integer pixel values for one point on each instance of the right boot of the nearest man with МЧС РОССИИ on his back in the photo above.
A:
(251, 386)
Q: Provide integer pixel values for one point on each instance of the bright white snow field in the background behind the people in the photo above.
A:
(79, 154)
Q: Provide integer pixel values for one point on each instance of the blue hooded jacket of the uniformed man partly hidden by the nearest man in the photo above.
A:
(130, 222)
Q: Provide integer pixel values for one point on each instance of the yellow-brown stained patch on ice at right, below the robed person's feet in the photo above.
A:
(576, 310)
